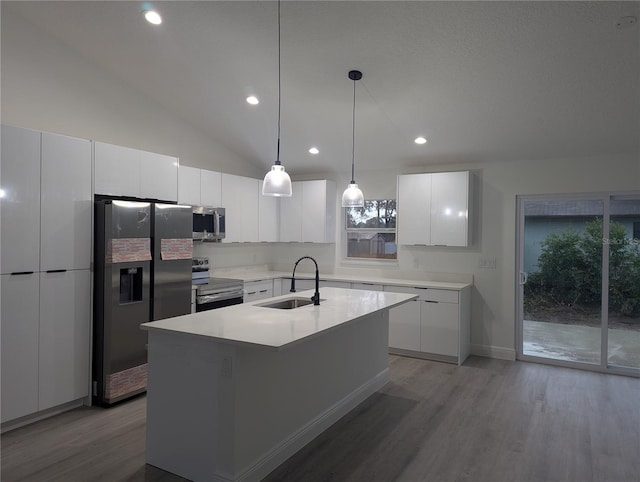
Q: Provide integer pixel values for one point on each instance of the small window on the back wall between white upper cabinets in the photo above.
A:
(371, 230)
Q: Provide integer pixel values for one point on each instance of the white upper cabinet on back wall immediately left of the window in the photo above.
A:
(309, 215)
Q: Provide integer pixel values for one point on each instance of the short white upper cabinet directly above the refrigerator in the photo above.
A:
(122, 171)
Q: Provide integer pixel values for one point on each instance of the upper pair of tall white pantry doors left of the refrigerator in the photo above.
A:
(46, 209)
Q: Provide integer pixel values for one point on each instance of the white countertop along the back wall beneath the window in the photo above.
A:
(248, 275)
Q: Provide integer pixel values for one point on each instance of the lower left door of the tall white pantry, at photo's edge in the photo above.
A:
(20, 322)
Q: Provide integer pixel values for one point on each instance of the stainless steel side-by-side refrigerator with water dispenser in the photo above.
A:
(142, 256)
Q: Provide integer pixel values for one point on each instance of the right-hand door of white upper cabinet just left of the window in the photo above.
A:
(318, 212)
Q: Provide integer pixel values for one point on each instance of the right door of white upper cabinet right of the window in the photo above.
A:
(450, 208)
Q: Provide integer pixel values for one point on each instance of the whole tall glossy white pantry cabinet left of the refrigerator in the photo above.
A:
(46, 253)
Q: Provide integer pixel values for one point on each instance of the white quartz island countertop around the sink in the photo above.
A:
(252, 324)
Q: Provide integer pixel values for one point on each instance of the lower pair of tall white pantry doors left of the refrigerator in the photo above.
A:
(46, 321)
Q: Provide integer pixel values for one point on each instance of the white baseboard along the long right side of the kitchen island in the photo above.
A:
(311, 430)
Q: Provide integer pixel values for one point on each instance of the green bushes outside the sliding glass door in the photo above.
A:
(570, 271)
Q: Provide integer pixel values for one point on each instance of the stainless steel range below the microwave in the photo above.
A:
(212, 293)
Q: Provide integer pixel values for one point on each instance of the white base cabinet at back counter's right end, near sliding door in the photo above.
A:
(436, 325)
